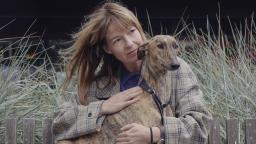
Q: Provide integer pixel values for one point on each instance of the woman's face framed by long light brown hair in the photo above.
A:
(123, 43)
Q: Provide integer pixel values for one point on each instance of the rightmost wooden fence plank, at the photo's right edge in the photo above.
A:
(250, 131)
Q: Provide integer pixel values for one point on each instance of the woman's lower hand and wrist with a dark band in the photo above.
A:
(137, 134)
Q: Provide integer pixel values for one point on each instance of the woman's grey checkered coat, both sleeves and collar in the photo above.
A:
(187, 126)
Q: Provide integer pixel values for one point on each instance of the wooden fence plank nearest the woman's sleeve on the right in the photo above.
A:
(214, 135)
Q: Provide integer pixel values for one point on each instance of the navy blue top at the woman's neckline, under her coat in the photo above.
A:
(128, 79)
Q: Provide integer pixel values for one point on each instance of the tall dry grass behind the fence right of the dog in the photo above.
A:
(226, 68)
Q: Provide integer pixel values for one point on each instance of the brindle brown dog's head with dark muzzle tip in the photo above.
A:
(160, 53)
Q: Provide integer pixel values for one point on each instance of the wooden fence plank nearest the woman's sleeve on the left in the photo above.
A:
(47, 131)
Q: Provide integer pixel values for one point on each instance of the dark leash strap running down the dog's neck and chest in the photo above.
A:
(155, 97)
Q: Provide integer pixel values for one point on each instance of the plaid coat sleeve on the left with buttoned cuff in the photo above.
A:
(72, 120)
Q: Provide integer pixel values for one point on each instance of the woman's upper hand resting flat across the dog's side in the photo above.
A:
(121, 100)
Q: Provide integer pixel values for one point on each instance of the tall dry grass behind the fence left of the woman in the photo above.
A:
(29, 83)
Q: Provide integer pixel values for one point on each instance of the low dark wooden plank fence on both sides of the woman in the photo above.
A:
(232, 131)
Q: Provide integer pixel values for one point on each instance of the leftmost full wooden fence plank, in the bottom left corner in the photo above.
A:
(11, 131)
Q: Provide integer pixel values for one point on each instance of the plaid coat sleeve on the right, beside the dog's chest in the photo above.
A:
(190, 124)
